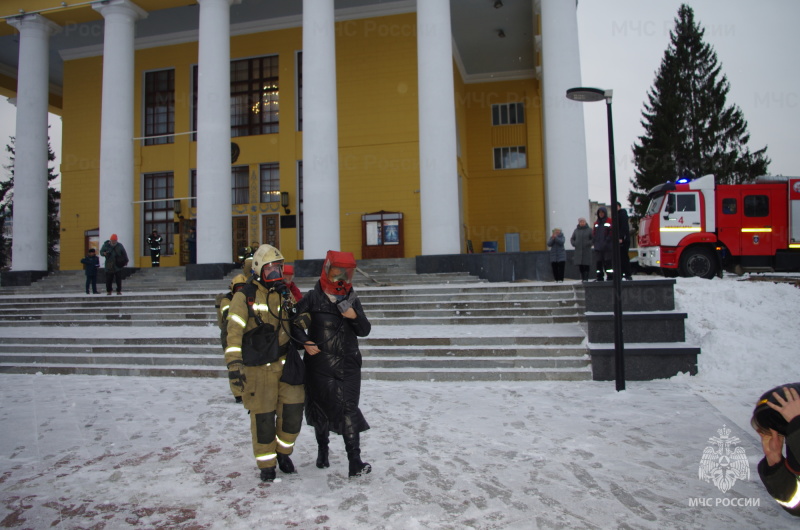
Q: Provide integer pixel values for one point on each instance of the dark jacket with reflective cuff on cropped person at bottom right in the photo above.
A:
(783, 479)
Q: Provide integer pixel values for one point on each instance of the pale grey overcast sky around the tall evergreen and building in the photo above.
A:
(622, 44)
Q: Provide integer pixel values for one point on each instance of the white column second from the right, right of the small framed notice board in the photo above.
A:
(438, 172)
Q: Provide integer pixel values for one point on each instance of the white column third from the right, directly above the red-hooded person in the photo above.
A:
(320, 131)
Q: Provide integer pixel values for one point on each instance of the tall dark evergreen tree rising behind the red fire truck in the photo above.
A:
(689, 129)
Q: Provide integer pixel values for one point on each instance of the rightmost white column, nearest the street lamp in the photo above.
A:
(566, 176)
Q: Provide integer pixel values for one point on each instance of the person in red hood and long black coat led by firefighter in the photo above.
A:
(333, 360)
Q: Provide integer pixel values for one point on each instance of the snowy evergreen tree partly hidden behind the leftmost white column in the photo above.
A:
(7, 210)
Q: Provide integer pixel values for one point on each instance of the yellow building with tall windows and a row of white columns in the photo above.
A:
(503, 191)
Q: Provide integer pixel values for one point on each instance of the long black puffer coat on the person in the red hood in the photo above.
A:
(333, 376)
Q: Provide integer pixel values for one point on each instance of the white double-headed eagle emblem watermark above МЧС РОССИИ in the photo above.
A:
(723, 464)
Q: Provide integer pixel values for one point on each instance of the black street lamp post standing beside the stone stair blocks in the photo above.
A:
(588, 95)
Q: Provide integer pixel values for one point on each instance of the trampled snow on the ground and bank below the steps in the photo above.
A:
(130, 452)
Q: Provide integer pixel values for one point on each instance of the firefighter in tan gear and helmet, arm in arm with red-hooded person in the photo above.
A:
(276, 408)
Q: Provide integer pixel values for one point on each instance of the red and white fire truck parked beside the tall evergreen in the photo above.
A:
(699, 228)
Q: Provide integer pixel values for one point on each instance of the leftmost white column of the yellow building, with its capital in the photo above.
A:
(29, 238)
